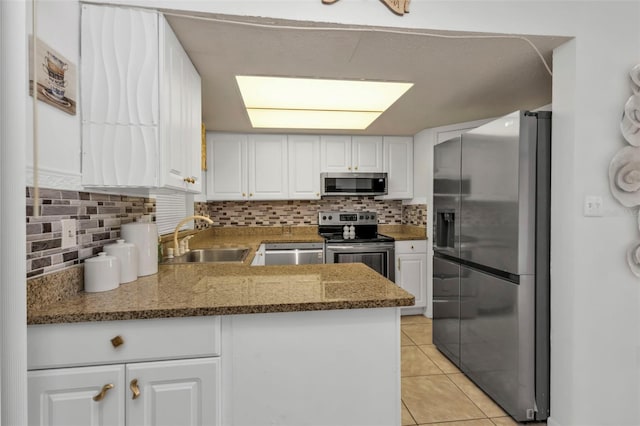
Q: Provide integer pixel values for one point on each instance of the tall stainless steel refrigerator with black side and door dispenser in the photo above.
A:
(491, 259)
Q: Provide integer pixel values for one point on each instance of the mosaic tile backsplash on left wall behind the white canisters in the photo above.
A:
(98, 216)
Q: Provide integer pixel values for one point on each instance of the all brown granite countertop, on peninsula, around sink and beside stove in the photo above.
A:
(180, 290)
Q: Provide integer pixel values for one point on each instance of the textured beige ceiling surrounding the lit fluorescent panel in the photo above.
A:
(456, 79)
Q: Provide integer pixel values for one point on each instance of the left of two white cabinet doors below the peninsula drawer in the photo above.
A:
(65, 396)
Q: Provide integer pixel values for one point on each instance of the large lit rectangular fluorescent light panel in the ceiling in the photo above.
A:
(307, 103)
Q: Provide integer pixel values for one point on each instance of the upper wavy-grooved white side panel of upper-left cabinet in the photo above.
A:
(119, 63)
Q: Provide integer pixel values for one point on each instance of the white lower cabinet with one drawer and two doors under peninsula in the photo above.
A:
(184, 391)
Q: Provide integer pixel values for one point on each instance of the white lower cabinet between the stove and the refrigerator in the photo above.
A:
(411, 269)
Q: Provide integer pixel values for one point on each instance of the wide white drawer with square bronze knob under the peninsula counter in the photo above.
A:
(63, 345)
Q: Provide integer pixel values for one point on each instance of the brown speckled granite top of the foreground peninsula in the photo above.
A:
(226, 289)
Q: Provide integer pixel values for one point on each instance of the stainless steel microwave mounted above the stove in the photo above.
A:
(353, 183)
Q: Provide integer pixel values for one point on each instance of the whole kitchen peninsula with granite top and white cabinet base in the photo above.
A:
(226, 344)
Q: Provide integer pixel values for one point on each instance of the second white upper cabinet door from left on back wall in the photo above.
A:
(267, 167)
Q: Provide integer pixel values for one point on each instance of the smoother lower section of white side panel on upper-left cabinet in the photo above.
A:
(114, 155)
